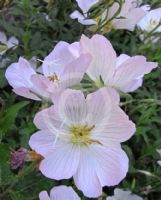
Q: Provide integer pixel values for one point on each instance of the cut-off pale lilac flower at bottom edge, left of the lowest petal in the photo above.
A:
(59, 193)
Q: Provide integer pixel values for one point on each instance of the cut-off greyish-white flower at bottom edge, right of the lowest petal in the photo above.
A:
(120, 194)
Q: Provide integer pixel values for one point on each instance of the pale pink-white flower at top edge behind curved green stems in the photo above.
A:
(131, 13)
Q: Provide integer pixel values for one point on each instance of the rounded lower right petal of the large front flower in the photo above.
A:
(111, 164)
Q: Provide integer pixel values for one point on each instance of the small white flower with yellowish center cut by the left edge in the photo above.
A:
(5, 44)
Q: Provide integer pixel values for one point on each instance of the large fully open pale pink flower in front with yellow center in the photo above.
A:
(81, 137)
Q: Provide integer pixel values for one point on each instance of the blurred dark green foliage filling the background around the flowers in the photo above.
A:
(26, 19)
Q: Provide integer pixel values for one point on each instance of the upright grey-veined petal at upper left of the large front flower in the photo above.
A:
(72, 106)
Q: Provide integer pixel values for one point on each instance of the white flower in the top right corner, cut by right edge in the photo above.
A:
(151, 20)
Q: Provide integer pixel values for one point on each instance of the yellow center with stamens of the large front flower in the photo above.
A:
(81, 135)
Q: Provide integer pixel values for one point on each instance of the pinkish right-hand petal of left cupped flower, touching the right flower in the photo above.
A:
(74, 71)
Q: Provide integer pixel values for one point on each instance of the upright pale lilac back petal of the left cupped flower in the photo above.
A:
(57, 59)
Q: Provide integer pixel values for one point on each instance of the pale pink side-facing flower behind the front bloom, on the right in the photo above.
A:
(123, 73)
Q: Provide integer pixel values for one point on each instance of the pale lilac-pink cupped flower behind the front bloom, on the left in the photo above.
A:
(62, 68)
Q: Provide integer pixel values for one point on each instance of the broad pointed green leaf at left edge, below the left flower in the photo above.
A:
(7, 117)
